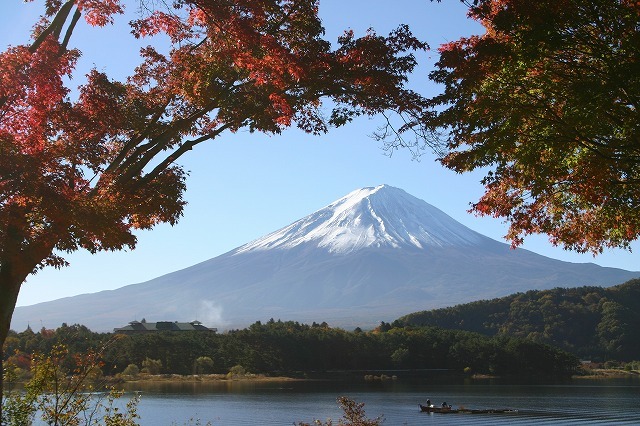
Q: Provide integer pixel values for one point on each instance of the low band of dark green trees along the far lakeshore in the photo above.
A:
(291, 348)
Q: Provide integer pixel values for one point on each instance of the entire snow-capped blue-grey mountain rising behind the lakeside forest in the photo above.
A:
(374, 255)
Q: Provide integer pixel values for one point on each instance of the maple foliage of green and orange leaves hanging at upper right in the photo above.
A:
(546, 101)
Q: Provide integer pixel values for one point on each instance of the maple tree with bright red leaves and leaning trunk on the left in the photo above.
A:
(87, 171)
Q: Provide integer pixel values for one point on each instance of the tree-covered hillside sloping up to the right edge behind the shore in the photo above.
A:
(591, 322)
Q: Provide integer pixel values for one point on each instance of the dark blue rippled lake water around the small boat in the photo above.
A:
(579, 401)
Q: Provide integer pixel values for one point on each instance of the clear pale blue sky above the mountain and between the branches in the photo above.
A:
(242, 186)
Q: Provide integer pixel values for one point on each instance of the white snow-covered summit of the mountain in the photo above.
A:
(381, 216)
